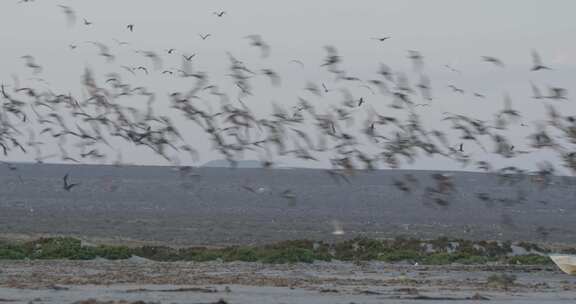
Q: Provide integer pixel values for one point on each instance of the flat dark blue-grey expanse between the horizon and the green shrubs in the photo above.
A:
(222, 206)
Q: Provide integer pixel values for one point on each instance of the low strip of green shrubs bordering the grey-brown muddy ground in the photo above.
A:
(428, 252)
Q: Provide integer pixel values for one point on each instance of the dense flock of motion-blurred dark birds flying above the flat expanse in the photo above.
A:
(353, 134)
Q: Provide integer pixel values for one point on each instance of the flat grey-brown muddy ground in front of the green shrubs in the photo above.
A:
(335, 282)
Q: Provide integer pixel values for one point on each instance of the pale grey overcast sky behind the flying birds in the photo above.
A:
(446, 32)
